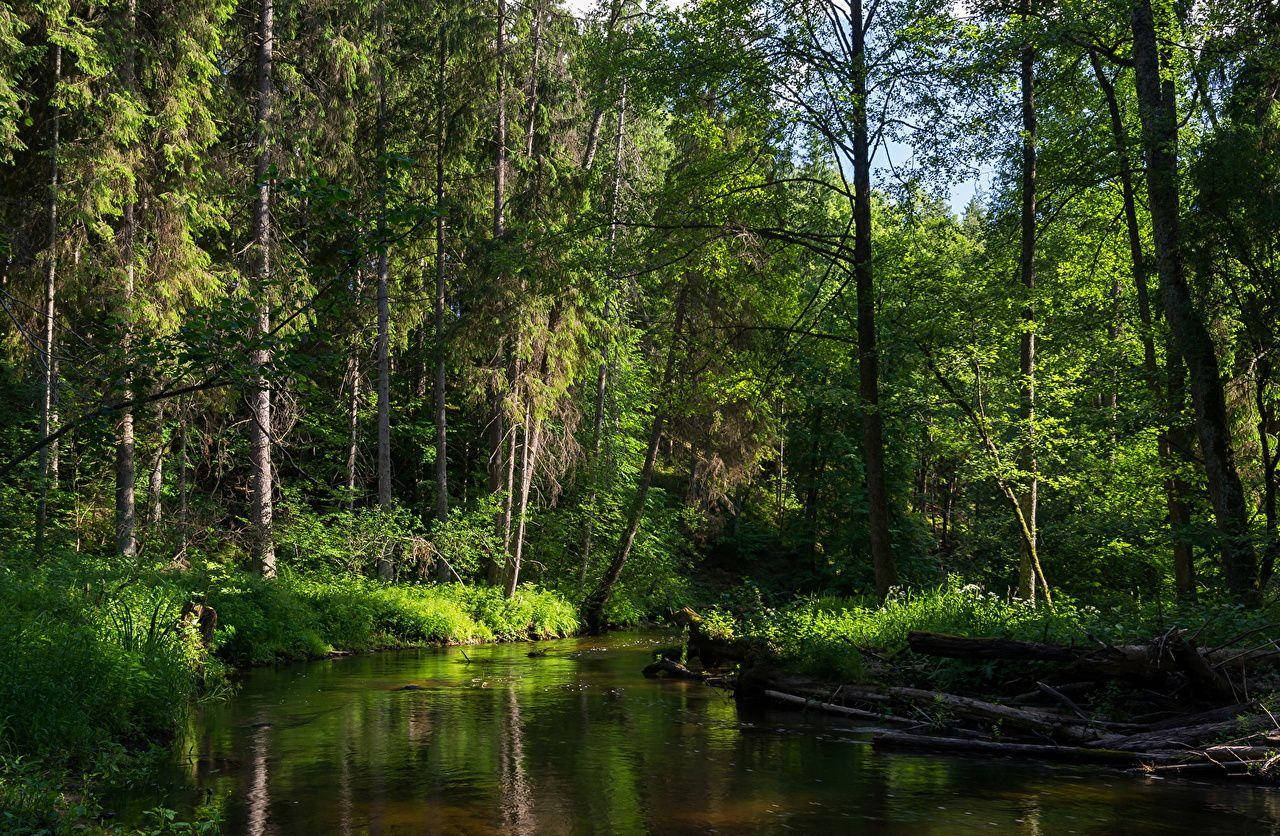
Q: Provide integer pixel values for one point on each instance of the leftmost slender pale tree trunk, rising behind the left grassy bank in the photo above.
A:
(48, 415)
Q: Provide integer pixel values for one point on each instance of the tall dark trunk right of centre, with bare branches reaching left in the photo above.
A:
(868, 359)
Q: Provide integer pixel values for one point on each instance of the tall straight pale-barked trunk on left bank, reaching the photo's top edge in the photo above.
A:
(260, 396)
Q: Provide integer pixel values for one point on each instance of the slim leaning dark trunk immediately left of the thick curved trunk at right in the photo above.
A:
(1177, 494)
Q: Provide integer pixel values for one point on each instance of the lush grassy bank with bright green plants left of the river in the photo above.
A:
(99, 666)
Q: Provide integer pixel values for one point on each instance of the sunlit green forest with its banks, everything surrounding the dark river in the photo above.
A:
(866, 341)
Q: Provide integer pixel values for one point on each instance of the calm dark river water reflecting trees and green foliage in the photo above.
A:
(577, 742)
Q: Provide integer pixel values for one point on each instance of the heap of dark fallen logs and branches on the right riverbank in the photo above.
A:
(1173, 707)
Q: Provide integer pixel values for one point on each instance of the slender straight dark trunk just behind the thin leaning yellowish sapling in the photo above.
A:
(1030, 500)
